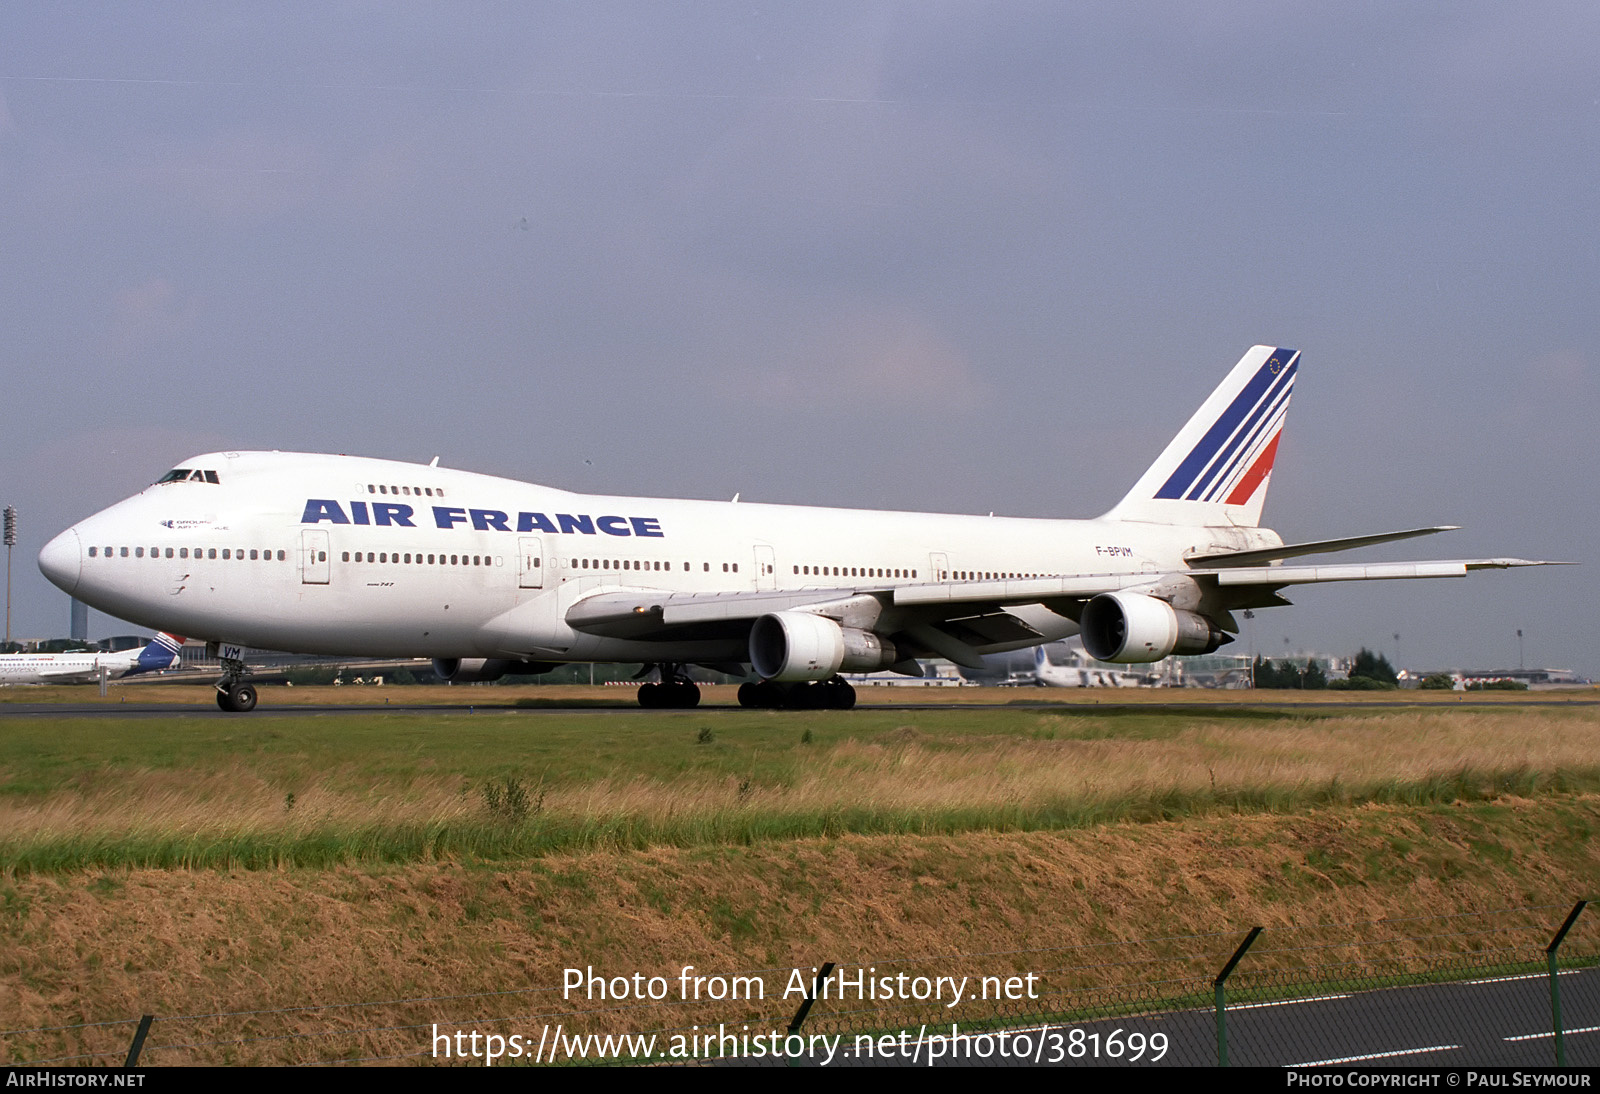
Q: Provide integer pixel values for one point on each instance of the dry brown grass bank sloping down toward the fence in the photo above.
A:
(94, 948)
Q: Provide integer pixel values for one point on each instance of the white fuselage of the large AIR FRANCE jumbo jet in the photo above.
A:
(367, 557)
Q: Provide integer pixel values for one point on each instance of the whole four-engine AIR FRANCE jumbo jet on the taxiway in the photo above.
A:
(367, 557)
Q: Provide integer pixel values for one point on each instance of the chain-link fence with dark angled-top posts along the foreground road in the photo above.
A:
(1513, 986)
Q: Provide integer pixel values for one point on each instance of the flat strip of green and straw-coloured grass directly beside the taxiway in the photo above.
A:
(316, 791)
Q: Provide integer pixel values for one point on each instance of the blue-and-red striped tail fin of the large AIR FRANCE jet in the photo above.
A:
(1218, 468)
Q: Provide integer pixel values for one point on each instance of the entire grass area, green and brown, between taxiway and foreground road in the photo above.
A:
(193, 866)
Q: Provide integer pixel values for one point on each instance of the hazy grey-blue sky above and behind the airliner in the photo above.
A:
(932, 257)
